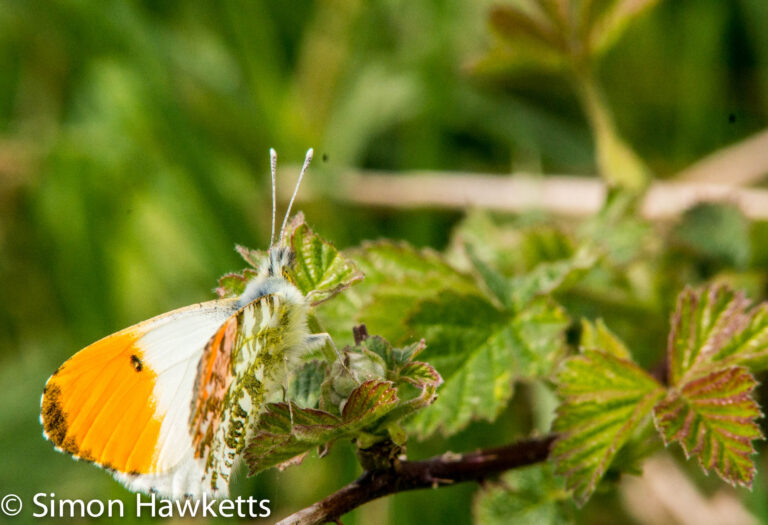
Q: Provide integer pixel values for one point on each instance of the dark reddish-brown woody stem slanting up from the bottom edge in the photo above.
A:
(438, 471)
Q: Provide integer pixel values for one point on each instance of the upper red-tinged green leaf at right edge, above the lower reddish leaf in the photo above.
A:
(715, 327)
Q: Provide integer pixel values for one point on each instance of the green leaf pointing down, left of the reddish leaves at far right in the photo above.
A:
(606, 401)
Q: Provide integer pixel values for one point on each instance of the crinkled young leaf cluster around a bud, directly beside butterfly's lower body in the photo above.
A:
(364, 399)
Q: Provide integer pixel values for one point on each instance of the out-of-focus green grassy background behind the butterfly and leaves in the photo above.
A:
(133, 156)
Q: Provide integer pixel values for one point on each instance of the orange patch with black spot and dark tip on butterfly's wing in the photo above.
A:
(99, 406)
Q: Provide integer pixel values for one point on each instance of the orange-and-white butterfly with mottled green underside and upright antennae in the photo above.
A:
(166, 405)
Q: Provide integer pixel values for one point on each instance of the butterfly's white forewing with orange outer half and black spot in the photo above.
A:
(123, 402)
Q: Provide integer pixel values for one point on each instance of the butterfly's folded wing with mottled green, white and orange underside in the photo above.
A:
(242, 365)
